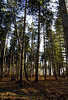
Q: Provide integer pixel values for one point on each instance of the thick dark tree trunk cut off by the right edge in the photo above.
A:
(63, 10)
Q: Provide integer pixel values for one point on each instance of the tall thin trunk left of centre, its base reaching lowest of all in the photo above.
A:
(23, 47)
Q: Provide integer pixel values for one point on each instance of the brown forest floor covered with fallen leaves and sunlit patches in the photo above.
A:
(49, 89)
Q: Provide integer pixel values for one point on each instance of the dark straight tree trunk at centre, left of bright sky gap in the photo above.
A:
(37, 59)
